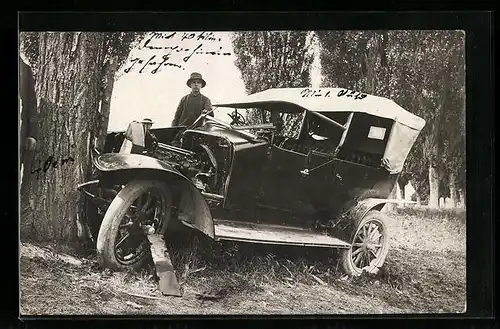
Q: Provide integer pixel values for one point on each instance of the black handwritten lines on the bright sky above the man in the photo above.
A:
(174, 50)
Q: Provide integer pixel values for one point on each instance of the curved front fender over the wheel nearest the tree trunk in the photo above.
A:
(115, 167)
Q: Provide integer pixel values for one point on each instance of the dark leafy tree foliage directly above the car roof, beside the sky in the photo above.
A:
(276, 59)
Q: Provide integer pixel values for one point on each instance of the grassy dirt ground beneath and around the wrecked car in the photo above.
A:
(425, 272)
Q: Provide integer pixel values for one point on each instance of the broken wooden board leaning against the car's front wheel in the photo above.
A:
(167, 284)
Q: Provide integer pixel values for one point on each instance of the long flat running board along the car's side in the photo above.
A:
(273, 234)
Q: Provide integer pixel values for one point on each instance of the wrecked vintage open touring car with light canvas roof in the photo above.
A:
(321, 184)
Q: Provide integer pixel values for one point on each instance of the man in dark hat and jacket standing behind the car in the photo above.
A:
(194, 104)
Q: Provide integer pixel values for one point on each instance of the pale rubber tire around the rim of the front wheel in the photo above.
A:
(109, 228)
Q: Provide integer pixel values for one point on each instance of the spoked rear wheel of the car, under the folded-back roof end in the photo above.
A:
(352, 258)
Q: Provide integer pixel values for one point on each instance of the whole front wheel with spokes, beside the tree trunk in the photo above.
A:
(141, 207)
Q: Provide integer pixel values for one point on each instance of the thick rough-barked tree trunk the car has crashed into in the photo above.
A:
(68, 84)
